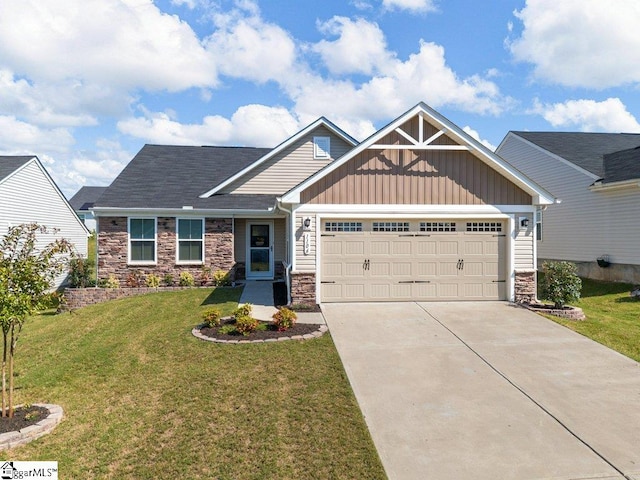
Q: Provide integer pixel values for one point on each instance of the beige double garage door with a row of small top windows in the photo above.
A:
(396, 261)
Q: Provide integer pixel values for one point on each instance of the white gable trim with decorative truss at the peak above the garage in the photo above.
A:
(466, 142)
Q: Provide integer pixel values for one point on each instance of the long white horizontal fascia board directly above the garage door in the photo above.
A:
(410, 211)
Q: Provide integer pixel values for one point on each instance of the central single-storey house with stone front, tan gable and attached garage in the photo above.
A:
(418, 211)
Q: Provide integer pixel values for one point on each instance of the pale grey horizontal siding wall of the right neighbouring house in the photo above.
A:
(586, 224)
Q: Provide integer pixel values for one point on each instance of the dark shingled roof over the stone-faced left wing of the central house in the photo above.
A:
(170, 177)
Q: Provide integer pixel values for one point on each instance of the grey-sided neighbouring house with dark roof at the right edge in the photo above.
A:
(596, 176)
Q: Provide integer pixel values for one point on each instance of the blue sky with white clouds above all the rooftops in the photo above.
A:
(84, 84)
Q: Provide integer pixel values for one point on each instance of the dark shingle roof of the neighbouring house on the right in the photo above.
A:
(585, 150)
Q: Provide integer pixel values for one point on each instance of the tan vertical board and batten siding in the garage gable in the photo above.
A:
(415, 177)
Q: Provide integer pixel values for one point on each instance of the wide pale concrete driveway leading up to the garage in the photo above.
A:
(487, 390)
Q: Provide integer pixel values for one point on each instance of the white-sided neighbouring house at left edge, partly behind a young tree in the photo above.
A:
(28, 194)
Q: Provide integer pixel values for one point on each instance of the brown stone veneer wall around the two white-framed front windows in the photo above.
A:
(113, 245)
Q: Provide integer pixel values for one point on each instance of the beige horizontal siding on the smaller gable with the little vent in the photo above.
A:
(289, 167)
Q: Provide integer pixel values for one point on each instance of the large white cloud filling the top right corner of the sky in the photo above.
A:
(581, 43)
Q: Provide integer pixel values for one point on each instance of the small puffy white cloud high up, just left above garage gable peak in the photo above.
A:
(360, 48)
